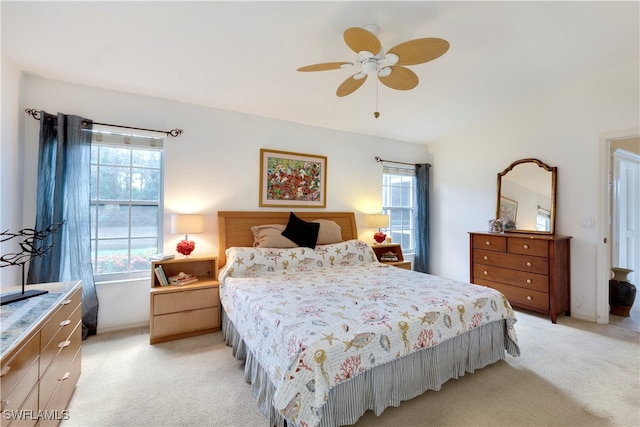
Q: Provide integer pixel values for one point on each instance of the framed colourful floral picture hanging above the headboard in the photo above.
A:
(289, 179)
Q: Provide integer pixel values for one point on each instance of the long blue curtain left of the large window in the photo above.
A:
(63, 195)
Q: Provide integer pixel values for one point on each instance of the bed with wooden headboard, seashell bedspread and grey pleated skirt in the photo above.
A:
(328, 333)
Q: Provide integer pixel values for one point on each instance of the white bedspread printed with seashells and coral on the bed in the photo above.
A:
(316, 318)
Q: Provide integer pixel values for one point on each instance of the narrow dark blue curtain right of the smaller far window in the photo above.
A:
(421, 260)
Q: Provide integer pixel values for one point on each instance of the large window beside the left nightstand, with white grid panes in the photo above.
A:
(126, 204)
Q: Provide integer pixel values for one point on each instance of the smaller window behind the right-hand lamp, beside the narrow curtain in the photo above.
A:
(398, 201)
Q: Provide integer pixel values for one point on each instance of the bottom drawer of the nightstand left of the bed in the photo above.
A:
(187, 321)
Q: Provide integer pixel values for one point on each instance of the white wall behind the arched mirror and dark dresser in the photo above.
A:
(563, 129)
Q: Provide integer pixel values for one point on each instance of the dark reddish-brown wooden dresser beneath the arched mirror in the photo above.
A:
(531, 270)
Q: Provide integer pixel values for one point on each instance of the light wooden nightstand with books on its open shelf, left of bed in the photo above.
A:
(187, 310)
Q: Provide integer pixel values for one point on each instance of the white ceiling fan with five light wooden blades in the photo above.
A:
(388, 66)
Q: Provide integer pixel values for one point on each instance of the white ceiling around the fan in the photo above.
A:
(242, 56)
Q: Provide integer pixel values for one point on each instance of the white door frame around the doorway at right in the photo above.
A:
(603, 263)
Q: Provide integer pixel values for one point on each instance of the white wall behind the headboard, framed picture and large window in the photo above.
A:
(213, 166)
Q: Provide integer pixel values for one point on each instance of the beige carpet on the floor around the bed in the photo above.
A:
(573, 373)
